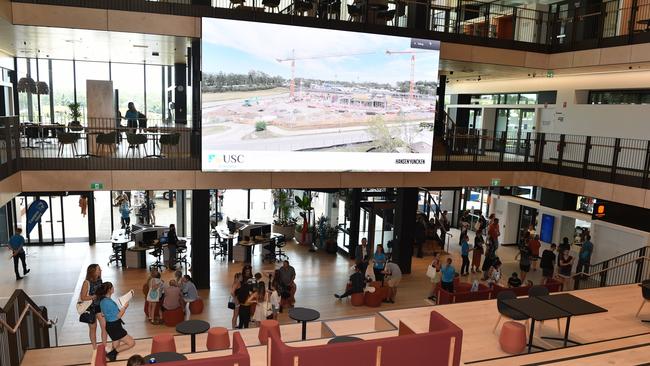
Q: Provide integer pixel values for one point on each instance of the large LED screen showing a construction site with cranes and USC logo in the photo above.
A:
(287, 98)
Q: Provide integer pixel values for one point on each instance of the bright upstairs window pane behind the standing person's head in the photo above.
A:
(128, 79)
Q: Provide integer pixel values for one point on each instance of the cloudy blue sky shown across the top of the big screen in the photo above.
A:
(233, 46)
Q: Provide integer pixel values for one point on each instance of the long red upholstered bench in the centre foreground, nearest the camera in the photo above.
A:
(440, 346)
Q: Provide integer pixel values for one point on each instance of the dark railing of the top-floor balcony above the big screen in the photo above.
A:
(555, 29)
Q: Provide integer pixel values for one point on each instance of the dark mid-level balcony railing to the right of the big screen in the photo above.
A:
(608, 159)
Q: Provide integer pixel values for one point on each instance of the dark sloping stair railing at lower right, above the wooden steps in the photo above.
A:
(632, 267)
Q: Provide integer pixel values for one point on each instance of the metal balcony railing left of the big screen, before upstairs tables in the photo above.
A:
(108, 144)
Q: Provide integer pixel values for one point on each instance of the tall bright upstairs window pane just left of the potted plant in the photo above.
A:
(62, 90)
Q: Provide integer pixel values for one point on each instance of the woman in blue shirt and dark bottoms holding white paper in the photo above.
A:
(113, 314)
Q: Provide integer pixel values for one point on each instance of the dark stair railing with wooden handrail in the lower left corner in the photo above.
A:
(31, 329)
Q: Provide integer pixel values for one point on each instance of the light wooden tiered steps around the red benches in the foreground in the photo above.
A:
(615, 337)
